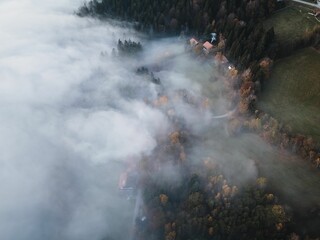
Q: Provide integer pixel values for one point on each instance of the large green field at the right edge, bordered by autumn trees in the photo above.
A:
(292, 94)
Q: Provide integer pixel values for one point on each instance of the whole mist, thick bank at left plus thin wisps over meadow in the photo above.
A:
(72, 115)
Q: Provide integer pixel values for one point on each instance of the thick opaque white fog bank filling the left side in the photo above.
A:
(64, 125)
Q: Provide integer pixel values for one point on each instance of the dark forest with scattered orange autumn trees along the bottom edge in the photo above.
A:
(203, 205)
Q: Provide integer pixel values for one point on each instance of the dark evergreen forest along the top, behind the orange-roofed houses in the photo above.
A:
(240, 22)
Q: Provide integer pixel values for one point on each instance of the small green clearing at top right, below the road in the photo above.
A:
(291, 23)
